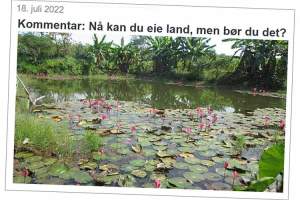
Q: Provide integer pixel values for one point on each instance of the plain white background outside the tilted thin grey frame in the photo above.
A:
(5, 35)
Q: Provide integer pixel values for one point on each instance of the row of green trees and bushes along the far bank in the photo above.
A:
(260, 63)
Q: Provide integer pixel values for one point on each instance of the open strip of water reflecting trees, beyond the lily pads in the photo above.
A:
(158, 95)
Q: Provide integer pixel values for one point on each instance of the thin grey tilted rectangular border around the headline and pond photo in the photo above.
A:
(140, 4)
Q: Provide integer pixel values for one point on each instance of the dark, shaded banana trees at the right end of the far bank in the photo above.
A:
(263, 60)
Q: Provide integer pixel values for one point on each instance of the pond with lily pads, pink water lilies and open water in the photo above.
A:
(155, 134)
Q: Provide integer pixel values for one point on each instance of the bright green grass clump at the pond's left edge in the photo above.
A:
(47, 138)
